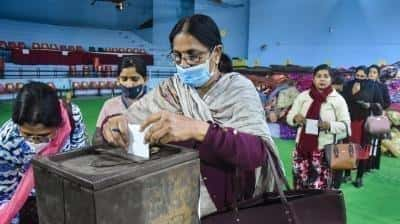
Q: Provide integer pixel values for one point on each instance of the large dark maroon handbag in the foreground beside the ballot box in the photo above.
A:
(284, 207)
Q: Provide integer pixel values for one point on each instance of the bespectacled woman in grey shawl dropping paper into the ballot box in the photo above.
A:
(210, 109)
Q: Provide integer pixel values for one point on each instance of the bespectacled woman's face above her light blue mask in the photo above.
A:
(188, 51)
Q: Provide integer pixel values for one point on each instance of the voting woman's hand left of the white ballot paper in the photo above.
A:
(115, 131)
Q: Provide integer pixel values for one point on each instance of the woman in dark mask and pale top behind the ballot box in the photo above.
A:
(132, 79)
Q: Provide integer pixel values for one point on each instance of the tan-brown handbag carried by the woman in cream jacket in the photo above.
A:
(342, 156)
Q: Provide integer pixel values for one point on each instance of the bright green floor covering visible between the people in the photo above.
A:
(376, 203)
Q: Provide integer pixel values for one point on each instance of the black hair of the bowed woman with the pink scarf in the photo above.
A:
(37, 103)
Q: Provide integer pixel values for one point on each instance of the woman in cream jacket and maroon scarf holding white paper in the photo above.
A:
(328, 109)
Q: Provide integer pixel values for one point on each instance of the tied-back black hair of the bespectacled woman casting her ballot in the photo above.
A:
(206, 31)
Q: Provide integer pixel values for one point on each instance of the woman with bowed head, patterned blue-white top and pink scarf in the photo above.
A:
(41, 124)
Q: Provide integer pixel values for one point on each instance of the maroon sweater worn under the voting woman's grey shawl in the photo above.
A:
(223, 150)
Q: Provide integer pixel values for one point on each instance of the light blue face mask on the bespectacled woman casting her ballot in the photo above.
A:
(195, 76)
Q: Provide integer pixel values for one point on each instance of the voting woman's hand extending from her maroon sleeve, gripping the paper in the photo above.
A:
(165, 127)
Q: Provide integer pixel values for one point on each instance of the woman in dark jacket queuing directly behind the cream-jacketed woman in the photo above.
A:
(361, 95)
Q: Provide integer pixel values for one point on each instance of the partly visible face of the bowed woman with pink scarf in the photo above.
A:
(37, 133)
